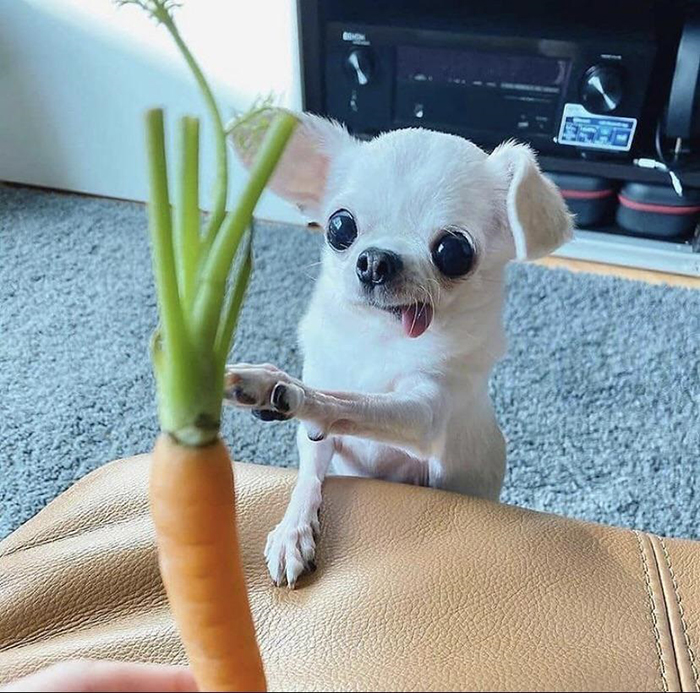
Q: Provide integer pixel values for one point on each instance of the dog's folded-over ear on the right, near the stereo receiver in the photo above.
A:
(536, 213)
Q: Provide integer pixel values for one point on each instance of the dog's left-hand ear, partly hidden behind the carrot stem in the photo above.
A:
(302, 174)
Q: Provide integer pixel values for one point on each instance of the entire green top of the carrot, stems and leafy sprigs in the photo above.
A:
(199, 292)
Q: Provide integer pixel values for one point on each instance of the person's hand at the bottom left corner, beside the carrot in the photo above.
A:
(81, 676)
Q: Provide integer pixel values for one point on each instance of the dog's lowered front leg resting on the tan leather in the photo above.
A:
(291, 546)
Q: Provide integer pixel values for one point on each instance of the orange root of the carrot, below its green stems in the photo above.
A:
(193, 508)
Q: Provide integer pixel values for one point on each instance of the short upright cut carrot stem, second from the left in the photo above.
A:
(187, 227)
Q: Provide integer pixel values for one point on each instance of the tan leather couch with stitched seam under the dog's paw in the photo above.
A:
(416, 590)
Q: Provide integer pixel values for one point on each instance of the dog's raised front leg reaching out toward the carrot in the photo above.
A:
(408, 418)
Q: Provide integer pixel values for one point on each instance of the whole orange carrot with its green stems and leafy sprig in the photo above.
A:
(200, 289)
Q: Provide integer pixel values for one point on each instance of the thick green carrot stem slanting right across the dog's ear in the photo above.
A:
(216, 265)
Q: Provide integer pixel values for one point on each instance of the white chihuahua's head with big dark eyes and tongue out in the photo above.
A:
(418, 222)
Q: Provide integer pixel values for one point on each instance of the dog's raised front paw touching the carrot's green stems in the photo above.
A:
(269, 392)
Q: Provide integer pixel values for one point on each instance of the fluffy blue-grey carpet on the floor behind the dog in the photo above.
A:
(599, 396)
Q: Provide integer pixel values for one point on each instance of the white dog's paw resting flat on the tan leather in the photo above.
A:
(290, 551)
